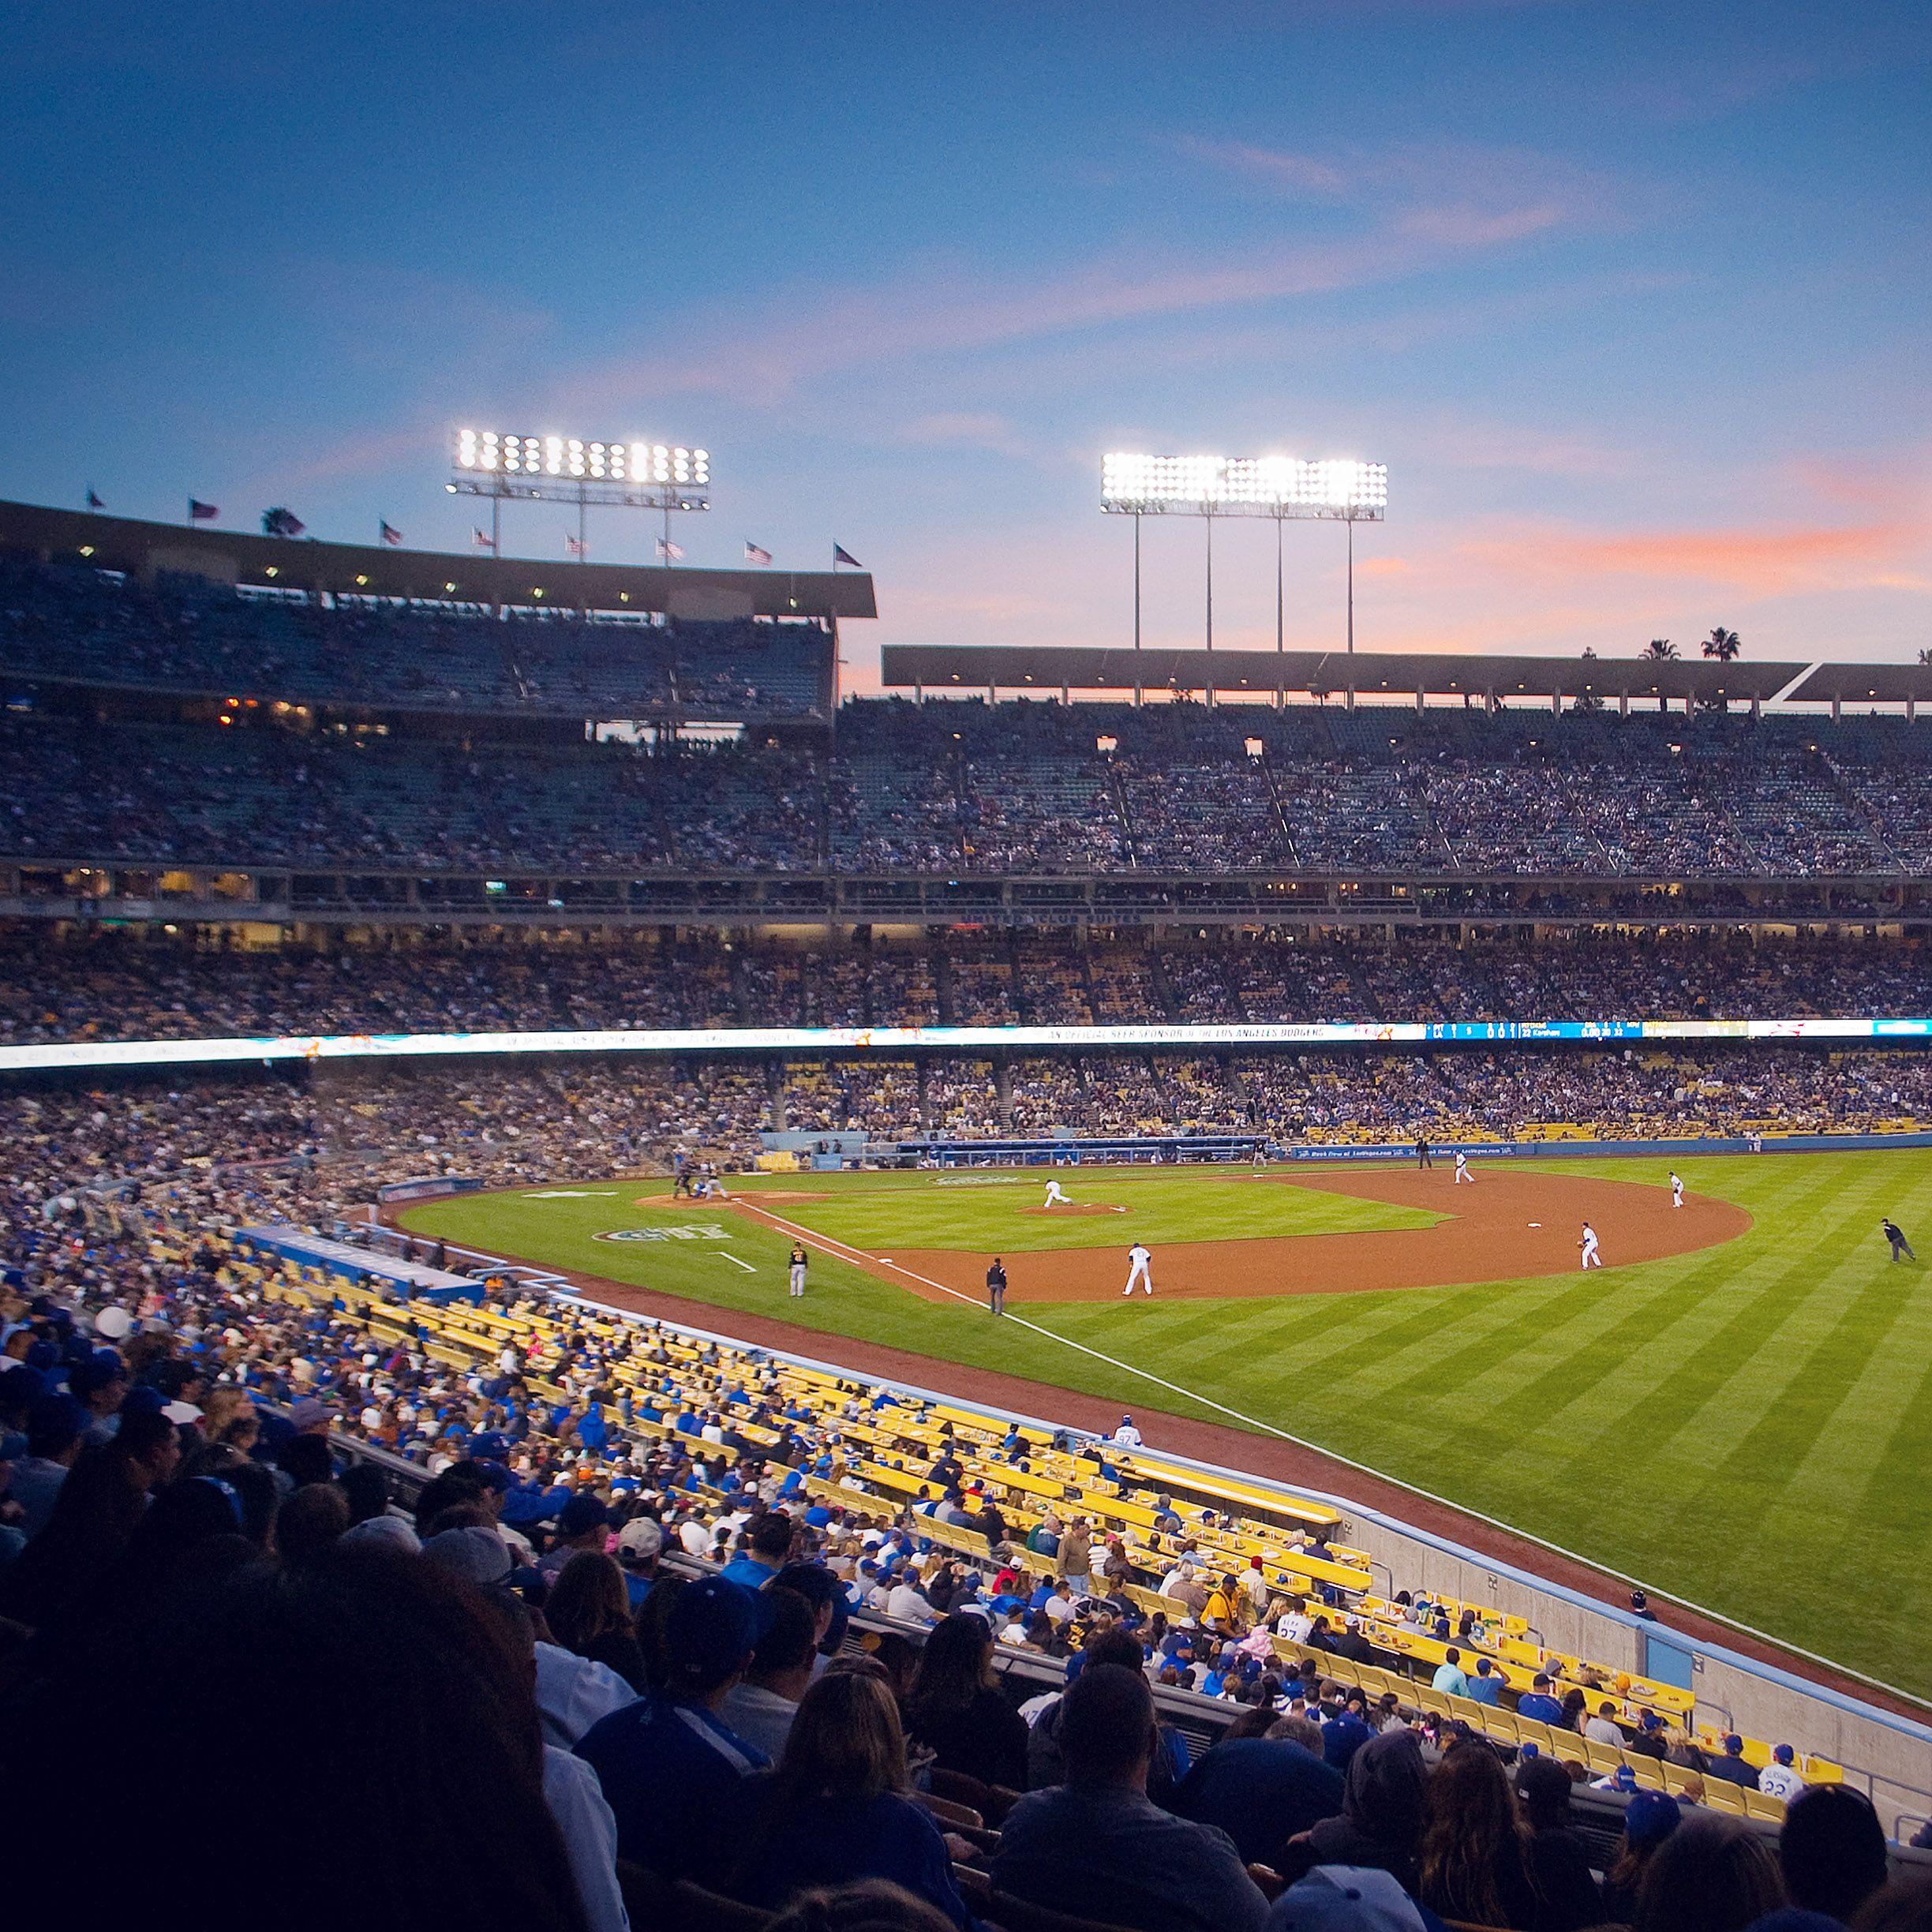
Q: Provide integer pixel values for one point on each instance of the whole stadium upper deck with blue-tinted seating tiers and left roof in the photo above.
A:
(227, 747)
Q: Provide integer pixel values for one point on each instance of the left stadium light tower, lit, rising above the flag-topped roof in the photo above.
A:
(635, 476)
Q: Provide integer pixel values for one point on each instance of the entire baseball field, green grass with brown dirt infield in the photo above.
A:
(1738, 1407)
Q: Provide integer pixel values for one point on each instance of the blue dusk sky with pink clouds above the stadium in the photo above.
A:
(1630, 298)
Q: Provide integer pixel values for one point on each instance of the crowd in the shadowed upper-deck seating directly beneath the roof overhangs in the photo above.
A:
(262, 770)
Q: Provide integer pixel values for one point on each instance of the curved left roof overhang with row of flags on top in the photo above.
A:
(432, 577)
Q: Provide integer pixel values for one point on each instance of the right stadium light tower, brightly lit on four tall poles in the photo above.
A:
(1284, 488)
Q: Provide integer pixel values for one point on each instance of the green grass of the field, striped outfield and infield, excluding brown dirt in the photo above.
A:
(1747, 1427)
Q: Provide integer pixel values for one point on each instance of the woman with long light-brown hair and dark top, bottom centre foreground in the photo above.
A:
(839, 1809)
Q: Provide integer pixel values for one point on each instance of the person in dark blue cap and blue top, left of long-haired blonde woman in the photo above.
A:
(669, 1765)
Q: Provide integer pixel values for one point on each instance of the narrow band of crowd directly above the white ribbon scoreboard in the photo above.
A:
(127, 984)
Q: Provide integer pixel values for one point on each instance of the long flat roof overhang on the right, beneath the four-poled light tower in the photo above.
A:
(940, 668)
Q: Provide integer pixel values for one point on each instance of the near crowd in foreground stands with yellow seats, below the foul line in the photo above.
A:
(604, 1651)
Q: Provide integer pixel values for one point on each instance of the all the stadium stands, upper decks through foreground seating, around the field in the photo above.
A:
(563, 1589)
